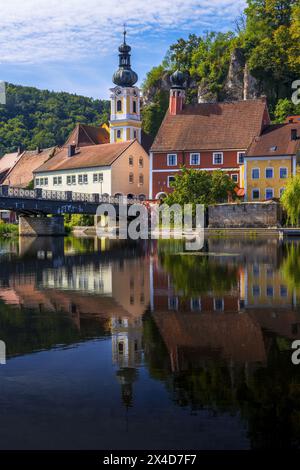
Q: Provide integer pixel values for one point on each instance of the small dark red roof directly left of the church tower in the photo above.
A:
(84, 134)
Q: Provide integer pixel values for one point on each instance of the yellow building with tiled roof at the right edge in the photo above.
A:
(270, 160)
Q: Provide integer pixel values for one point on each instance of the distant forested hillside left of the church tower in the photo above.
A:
(44, 118)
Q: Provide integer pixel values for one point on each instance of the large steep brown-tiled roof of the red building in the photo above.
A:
(212, 126)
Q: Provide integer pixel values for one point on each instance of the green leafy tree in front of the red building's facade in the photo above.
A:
(200, 187)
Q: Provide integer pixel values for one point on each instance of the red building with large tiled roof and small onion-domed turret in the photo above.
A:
(206, 136)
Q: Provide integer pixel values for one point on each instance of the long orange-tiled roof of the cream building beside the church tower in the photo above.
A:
(86, 157)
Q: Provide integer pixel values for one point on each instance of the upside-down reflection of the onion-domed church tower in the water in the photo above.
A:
(127, 353)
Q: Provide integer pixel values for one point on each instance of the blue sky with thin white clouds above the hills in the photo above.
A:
(72, 45)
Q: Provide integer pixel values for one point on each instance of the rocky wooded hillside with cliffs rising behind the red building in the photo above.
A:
(261, 57)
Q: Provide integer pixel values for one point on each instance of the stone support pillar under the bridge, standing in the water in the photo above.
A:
(40, 226)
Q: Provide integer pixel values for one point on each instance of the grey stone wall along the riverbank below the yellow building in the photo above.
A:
(245, 214)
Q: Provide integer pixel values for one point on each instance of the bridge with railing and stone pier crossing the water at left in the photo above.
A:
(33, 206)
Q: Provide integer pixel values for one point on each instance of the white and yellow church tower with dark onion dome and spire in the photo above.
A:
(125, 118)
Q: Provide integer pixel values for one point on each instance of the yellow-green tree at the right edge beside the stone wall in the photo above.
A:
(290, 199)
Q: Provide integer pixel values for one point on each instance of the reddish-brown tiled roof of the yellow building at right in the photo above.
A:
(275, 141)
